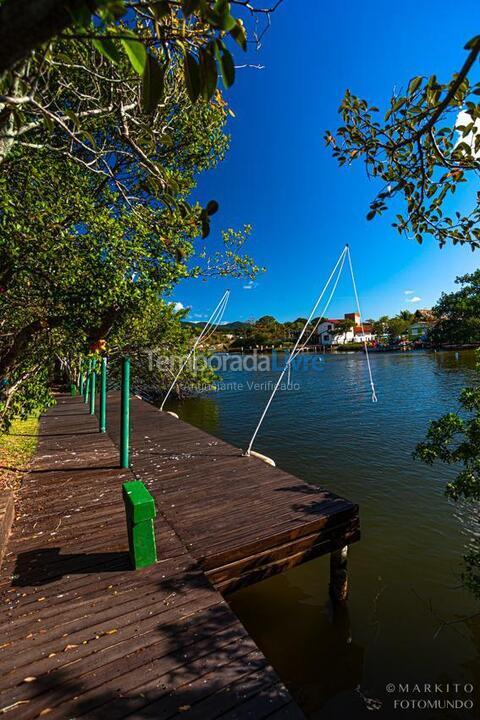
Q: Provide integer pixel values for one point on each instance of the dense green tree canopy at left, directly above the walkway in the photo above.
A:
(85, 253)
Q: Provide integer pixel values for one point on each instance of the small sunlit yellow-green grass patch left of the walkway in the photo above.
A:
(16, 451)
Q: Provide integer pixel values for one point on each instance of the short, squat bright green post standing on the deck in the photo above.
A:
(140, 512)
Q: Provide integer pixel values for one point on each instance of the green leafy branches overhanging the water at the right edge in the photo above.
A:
(454, 439)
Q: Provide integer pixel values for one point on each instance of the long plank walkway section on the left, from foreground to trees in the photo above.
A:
(82, 635)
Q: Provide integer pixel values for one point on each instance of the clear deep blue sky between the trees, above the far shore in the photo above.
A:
(279, 177)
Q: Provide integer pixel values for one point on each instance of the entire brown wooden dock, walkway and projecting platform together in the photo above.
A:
(82, 635)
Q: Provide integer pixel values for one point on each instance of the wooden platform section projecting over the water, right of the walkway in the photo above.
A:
(242, 519)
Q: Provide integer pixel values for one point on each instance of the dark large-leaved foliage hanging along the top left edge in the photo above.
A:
(133, 27)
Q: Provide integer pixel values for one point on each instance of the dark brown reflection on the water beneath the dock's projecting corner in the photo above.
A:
(317, 655)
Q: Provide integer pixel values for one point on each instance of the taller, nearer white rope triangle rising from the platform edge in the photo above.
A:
(300, 346)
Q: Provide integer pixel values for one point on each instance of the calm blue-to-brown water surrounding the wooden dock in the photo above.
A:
(404, 573)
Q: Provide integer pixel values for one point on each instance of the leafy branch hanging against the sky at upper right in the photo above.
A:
(426, 145)
